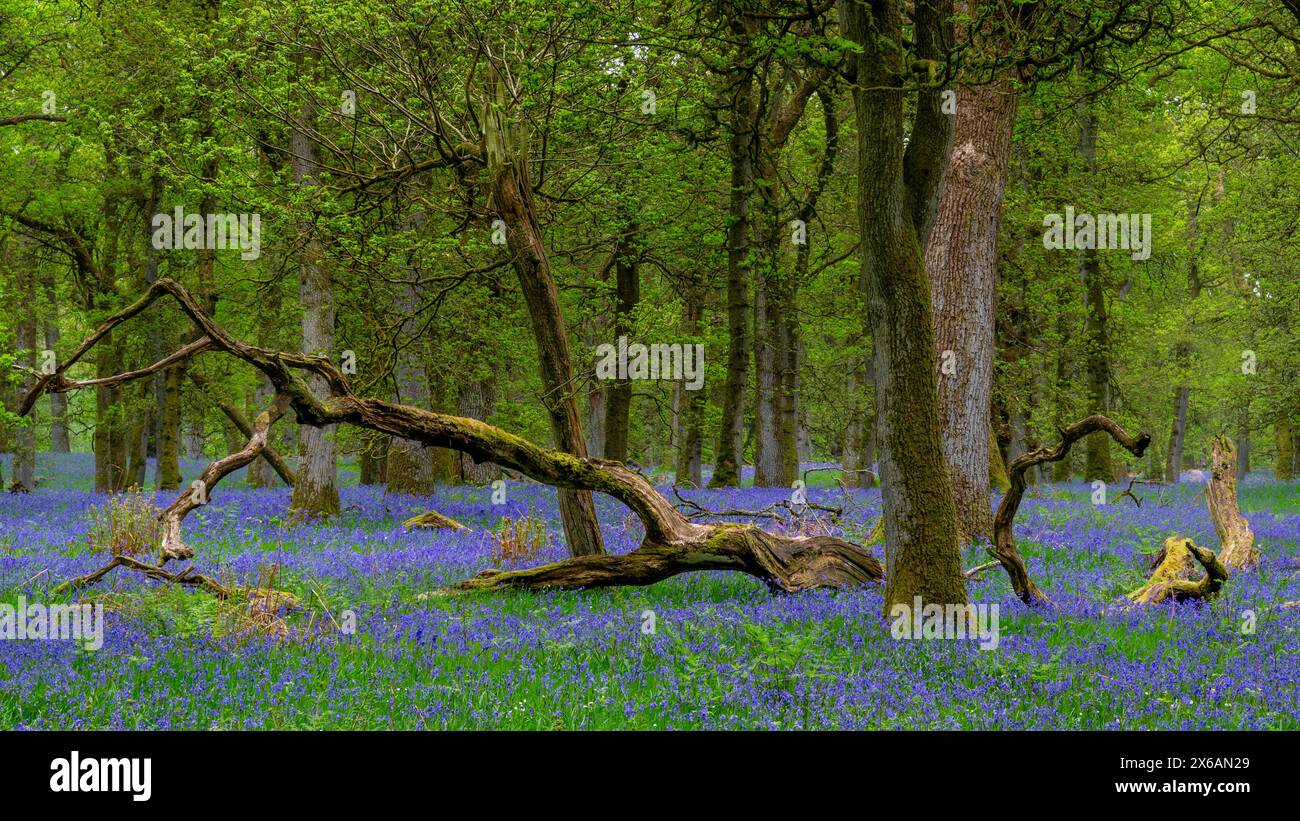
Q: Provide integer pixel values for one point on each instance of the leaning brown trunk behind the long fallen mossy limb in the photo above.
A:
(513, 199)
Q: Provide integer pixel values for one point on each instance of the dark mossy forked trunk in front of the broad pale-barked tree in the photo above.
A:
(898, 199)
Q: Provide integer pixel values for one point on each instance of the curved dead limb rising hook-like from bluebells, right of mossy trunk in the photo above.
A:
(1004, 540)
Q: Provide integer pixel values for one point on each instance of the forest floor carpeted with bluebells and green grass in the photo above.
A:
(725, 654)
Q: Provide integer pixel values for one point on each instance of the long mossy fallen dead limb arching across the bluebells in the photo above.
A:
(673, 544)
